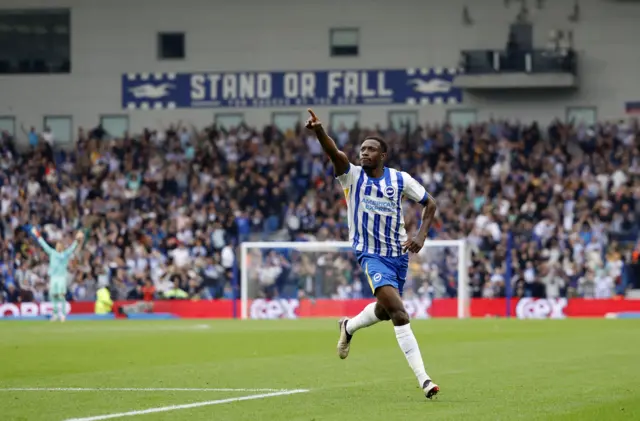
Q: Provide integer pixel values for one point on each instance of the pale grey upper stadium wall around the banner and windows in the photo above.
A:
(111, 37)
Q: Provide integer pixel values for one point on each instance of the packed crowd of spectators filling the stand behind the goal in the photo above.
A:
(164, 211)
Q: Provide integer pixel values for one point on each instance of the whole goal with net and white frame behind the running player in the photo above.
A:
(324, 279)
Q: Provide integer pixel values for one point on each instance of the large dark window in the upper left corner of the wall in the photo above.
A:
(35, 41)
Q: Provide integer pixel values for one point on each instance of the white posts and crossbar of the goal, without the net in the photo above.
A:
(463, 265)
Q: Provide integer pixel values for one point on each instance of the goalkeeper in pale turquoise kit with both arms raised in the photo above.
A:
(58, 271)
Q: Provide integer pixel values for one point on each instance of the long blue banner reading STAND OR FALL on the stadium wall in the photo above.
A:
(414, 86)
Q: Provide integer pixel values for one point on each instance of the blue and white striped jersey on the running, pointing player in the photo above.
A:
(376, 223)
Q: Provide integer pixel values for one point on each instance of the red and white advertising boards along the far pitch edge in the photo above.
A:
(418, 308)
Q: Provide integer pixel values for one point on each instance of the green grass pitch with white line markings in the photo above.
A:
(487, 369)
